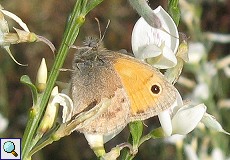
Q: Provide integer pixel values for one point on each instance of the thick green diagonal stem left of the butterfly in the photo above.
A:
(77, 18)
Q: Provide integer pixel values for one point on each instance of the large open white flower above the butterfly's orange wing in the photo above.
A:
(156, 46)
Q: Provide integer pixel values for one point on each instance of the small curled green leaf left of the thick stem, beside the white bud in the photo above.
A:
(25, 79)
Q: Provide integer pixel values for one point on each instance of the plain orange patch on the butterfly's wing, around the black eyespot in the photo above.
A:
(137, 79)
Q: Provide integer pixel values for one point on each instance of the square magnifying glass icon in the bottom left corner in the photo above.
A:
(10, 148)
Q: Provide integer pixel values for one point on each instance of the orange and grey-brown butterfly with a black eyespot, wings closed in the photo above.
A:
(136, 90)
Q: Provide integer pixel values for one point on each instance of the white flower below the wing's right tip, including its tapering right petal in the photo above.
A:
(183, 118)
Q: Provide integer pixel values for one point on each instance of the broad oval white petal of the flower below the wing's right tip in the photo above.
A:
(187, 118)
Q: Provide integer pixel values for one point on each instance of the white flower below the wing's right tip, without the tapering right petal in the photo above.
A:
(181, 119)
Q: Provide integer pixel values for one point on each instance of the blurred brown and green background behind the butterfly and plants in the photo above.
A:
(205, 79)
